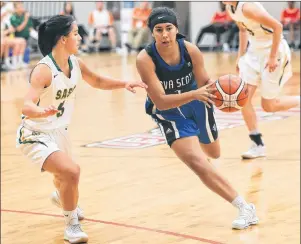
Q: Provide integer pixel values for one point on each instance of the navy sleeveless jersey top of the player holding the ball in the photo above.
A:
(174, 79)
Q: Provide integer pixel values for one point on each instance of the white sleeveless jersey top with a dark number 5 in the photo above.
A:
(60, 93)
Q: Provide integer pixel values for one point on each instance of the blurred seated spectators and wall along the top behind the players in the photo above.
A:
(121, 27)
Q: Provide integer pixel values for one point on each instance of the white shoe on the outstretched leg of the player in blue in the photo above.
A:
(247, 216)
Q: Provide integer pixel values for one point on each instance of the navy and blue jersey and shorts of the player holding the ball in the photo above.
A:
(190, 119)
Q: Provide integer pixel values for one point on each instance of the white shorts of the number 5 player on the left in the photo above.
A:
(38, 146)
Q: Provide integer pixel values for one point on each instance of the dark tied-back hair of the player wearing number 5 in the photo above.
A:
(52, 30)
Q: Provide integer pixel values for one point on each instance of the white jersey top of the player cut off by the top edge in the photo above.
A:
(260, 36)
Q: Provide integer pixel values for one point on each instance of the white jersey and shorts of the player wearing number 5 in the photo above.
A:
(38, 138)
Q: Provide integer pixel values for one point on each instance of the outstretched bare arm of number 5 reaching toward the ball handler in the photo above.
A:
(107, 83)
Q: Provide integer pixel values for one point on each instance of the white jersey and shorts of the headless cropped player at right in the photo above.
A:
(252, 63)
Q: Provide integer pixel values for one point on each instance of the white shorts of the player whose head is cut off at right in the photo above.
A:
(252, 70)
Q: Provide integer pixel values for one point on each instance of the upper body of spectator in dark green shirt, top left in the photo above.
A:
(22, 22)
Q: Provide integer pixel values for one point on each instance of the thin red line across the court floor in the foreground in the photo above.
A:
(122, 225)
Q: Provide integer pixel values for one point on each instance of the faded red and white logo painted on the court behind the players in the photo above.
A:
(154, 136)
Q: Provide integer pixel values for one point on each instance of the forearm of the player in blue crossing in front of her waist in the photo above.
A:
(165, 102)
